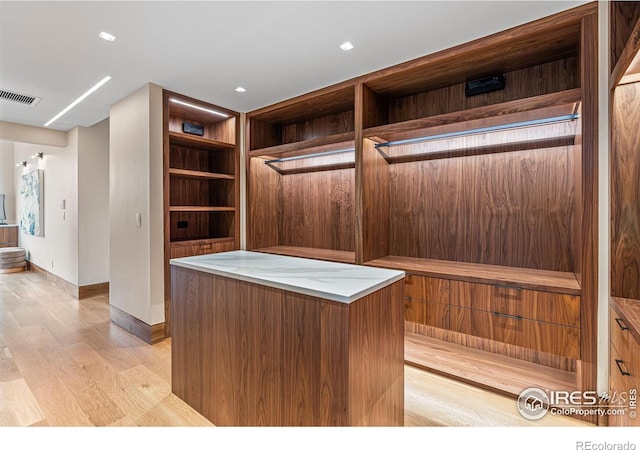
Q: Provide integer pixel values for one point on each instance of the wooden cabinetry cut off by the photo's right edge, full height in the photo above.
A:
(624, 313)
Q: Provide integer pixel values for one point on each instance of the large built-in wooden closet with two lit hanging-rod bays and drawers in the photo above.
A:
(494, 192)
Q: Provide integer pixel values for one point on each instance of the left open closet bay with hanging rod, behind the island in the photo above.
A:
(301, 162)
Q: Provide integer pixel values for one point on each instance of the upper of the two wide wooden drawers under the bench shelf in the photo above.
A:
(553, 308)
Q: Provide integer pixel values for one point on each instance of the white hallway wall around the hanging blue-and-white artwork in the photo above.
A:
(57, 250)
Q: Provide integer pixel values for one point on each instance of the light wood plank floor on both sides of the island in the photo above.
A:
(63, 363)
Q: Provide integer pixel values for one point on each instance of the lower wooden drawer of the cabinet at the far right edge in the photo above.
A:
(622, 389)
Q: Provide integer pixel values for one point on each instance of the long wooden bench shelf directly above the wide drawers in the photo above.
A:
(517, 277)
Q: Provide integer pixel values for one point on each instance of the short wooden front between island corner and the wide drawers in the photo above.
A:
(427, 301)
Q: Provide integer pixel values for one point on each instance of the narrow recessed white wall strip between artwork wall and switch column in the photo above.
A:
(93, 204)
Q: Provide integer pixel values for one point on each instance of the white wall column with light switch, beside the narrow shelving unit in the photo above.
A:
(135, 173)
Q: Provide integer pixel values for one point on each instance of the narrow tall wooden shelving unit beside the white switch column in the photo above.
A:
(201, 188)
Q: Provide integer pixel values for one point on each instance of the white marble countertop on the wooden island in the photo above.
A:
(340, 282)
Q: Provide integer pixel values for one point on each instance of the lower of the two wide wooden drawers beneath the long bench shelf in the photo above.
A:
(541, 336)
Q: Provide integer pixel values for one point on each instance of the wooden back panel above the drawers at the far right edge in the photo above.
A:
(625, 193)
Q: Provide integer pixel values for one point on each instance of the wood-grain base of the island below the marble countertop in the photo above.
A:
(245, 354)
